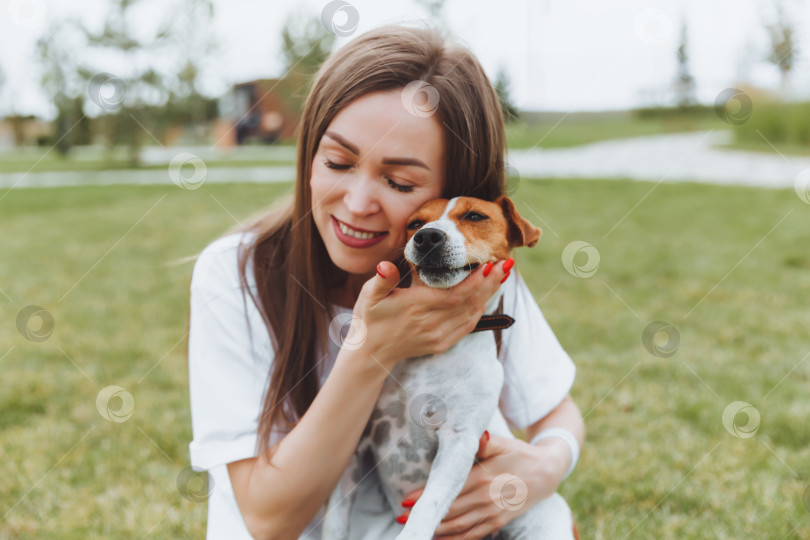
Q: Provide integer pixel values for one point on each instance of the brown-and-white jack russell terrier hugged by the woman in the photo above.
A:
(432, 411)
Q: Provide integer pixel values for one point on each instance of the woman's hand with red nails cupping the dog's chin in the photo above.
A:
(402, 323)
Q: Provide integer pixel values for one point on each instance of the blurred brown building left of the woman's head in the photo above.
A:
(255, 111)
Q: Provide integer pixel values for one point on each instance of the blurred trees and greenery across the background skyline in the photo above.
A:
(151, 94)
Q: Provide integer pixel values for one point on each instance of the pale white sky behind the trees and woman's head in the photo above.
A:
(560, 54)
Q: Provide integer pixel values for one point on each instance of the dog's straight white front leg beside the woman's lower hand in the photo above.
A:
(447, 477)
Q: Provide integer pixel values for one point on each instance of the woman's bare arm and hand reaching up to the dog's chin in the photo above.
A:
(279, 499)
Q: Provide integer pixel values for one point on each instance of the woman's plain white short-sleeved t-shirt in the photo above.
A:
(228, 372)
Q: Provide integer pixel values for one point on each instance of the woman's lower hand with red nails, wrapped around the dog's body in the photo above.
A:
(508, 478)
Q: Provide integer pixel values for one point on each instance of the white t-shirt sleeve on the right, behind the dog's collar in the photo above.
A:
(538, 373)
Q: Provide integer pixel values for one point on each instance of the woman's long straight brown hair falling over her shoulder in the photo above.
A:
(292, 268)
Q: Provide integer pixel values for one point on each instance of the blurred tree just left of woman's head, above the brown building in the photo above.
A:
(305, 45)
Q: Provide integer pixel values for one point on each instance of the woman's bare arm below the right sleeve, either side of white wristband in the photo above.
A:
(553, 452)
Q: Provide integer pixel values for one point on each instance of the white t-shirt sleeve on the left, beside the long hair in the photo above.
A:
(228, 364)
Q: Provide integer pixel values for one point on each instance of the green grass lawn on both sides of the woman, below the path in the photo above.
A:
(727, 267)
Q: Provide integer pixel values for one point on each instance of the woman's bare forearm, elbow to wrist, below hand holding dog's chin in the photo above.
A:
(287, 493)
